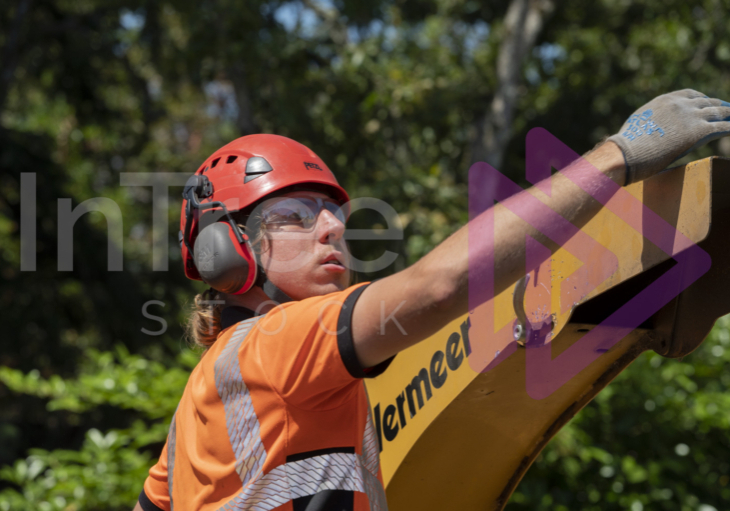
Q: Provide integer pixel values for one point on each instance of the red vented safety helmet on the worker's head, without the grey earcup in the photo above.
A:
(240, 174)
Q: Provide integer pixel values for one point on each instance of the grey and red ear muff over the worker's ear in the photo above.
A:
(224, 263)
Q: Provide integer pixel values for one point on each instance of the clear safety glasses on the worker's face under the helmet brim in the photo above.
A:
(298, 214)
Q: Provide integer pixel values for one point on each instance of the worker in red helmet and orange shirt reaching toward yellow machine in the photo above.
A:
(276, 415)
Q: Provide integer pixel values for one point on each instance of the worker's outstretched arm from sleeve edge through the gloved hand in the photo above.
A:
(423, 298)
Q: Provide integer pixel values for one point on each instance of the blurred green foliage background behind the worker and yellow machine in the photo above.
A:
(387, 92)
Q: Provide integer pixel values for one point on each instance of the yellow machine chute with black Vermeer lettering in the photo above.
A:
(456, 438)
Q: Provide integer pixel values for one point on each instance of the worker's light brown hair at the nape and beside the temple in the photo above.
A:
(204, 321)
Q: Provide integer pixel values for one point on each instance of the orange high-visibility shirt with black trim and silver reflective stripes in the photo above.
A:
(275, 416)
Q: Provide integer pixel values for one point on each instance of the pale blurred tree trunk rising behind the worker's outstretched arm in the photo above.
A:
(522, 24)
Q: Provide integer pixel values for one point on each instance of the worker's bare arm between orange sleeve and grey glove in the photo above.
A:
(435, 290)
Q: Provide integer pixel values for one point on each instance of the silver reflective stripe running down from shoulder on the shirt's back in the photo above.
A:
(241, 420)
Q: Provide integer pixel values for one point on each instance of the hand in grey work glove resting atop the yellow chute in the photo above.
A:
(667, 128)
